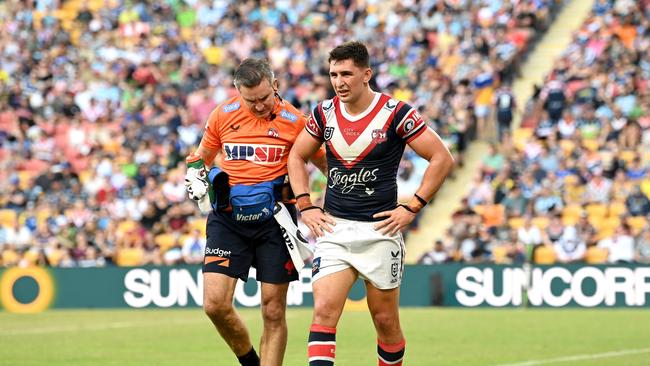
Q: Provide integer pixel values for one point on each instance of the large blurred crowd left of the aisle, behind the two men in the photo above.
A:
(101, 100)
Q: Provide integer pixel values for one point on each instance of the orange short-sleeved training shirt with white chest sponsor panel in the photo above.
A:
(253, 150)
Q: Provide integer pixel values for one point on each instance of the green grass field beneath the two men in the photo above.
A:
(434, 337)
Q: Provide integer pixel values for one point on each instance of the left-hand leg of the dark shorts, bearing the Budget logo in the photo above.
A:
(228, 249)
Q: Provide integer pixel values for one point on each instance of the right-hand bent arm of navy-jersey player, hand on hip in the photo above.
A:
(429, 146)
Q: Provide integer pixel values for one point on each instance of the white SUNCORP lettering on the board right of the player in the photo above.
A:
(553, 286)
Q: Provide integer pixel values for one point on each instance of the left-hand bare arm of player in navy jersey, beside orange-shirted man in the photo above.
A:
(303, 149)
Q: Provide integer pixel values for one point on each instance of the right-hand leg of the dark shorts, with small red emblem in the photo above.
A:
(272, 259)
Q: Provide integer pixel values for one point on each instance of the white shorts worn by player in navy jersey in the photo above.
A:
(378, 258)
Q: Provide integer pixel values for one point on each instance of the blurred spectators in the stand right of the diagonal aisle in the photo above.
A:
(573, 184)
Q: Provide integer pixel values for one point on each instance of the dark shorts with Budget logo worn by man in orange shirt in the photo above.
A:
(232, 248)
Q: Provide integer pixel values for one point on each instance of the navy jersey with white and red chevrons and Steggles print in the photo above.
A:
(363, 153)
